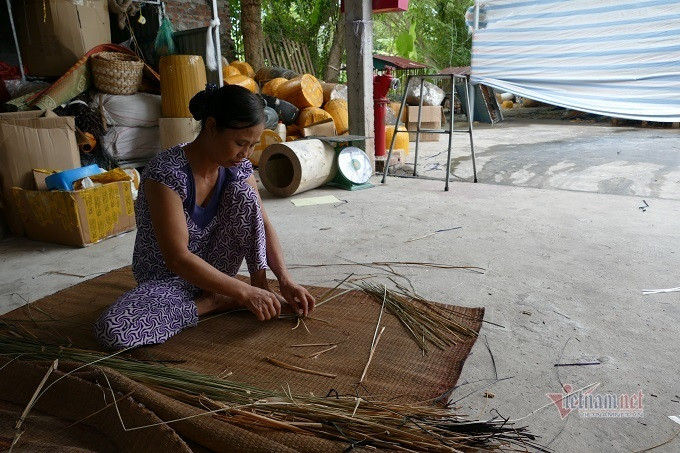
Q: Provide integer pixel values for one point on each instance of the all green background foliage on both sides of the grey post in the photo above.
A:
(431, 31)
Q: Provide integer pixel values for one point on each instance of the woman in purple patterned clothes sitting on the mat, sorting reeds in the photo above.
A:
(199, 214)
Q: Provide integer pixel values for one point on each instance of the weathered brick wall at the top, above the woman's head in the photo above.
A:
(188, 14)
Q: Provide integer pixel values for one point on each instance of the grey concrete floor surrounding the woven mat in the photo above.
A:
(564, 273)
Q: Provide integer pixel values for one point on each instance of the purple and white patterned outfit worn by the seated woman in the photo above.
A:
(229, 229)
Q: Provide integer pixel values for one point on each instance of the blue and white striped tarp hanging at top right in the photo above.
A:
(619, 58)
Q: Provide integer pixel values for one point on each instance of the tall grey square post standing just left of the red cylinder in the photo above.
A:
(359, 39)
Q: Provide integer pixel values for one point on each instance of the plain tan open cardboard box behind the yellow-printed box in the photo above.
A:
(29, 140)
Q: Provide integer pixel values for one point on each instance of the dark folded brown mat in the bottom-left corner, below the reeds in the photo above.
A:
(75, 398)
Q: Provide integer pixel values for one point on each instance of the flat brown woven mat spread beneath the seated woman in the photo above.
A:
(236, 345)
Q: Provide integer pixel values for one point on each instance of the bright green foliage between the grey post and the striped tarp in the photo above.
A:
(436, 27)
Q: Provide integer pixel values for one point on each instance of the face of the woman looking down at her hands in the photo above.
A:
(231, 146)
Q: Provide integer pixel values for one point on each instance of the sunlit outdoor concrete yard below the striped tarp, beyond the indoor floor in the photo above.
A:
(566, 155)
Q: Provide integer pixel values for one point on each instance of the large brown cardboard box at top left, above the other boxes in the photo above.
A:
(54, 34)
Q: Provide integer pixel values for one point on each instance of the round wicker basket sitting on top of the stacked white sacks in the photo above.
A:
(116, 73)
